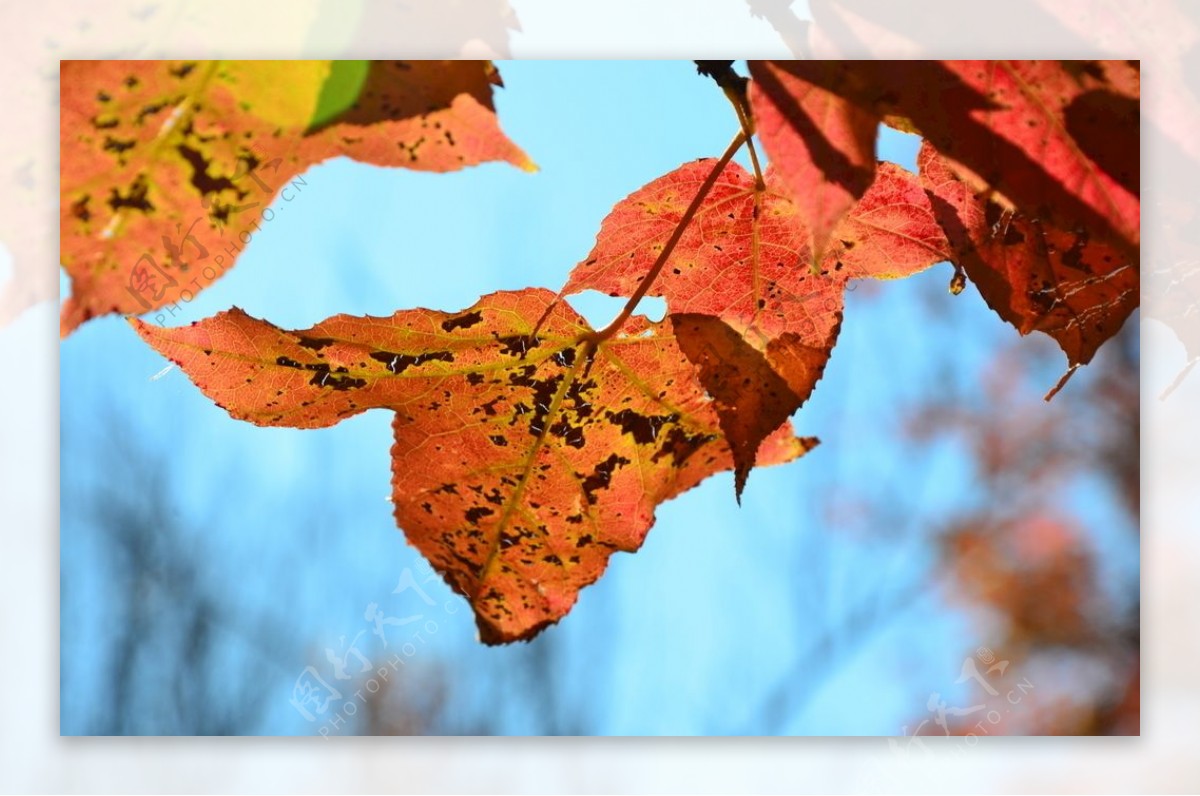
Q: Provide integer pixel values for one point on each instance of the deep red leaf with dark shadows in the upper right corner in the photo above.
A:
(1052, 140)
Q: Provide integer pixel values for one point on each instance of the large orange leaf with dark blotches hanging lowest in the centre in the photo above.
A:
(521, 463)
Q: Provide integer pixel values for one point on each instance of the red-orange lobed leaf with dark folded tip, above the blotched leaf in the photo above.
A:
(743, 261)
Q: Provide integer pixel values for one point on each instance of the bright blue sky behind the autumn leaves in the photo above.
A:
(697, 632)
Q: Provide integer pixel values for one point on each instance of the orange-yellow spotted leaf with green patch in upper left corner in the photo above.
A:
(167, 167)
